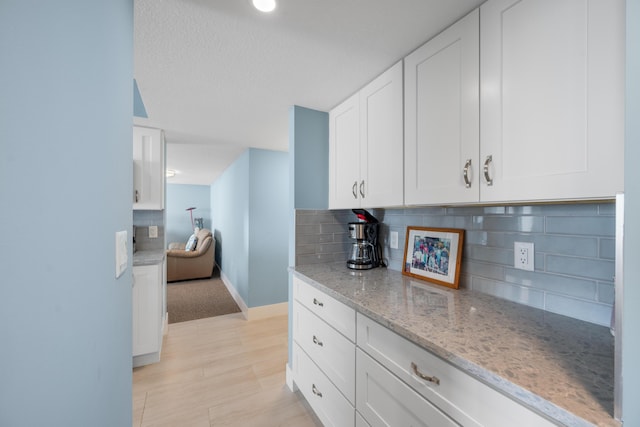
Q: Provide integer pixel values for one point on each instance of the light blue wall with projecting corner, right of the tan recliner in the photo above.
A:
(249, 216)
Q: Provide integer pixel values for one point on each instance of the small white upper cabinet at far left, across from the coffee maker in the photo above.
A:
(148, 168)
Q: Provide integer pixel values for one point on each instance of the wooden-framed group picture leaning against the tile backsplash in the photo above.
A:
(434, 255)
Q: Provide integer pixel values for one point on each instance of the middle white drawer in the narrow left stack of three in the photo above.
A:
(332, 352)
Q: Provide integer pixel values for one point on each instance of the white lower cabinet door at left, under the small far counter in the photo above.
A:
(147, 302)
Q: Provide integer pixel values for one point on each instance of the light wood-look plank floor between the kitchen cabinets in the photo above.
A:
(221, 371)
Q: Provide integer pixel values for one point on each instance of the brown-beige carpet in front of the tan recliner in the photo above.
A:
(197, 299)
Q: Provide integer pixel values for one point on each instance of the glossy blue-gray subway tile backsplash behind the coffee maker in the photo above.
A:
(574, 250)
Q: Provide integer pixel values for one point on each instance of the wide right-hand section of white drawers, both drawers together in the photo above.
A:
(408, 373)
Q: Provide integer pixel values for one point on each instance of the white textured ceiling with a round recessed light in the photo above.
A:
(218, 76)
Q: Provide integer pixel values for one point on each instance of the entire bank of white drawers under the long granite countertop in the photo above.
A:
(355, 372)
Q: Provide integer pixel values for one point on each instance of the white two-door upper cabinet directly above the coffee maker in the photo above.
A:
(366, 145)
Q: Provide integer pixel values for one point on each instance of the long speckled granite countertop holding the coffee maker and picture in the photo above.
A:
(555, 365)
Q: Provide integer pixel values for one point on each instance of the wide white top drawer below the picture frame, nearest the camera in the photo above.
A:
(462, 397)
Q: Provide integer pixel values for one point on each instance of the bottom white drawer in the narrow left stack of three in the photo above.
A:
(327, 402)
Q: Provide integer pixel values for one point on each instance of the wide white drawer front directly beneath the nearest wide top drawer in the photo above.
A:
(384, 400)
